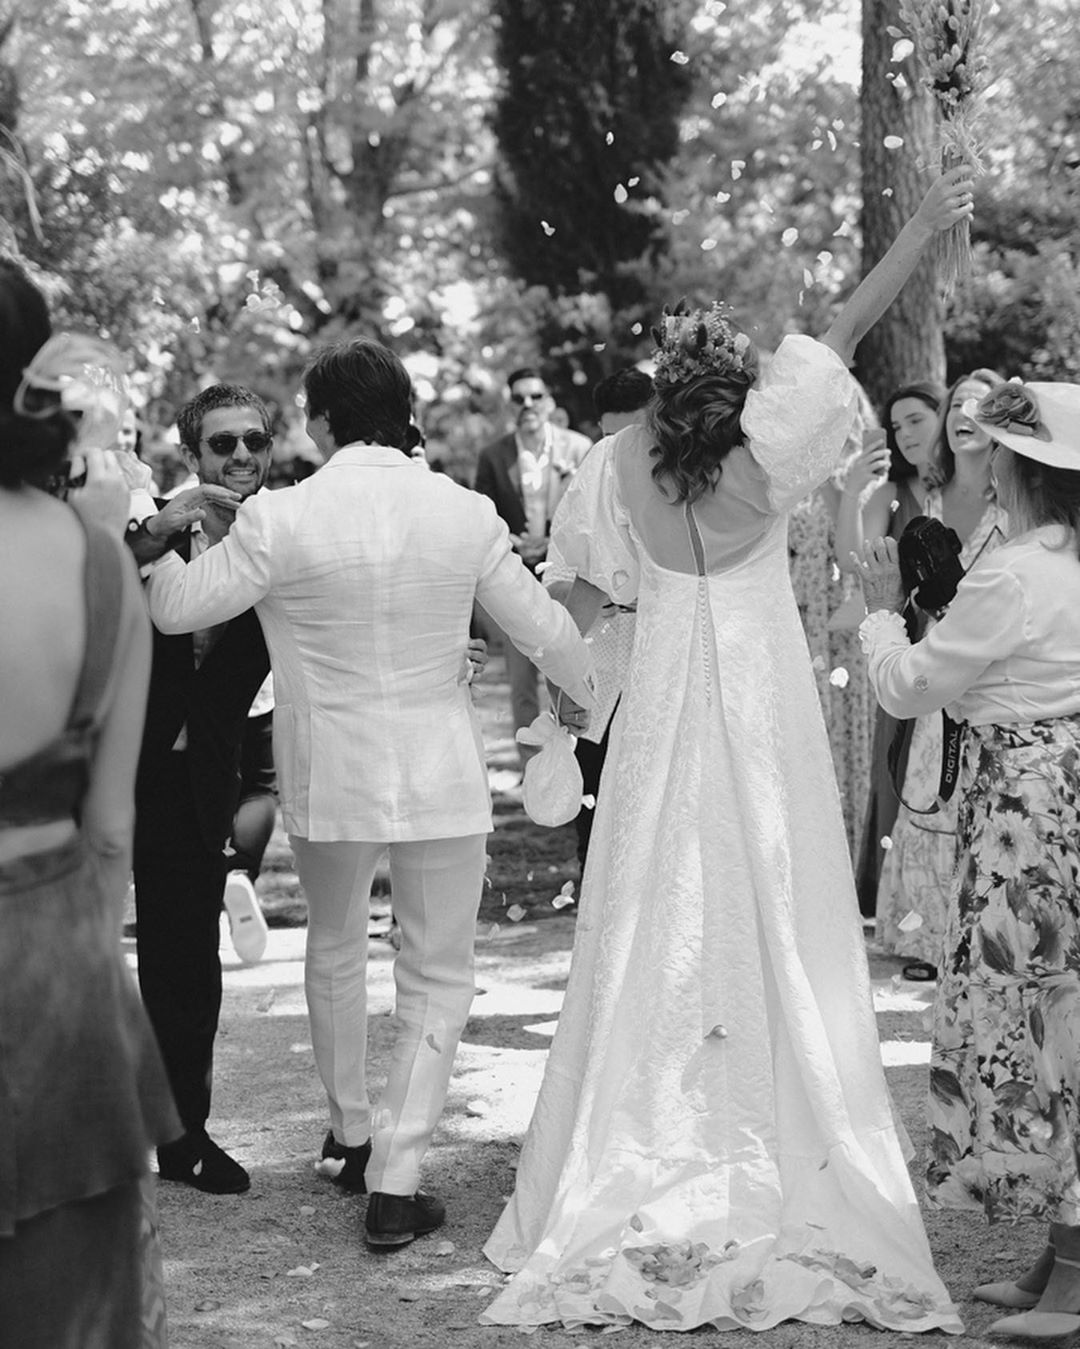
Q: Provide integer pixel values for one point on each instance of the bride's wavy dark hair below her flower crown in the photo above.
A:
(696, 426)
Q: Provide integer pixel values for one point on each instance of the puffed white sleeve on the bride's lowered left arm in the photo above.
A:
(590, 532)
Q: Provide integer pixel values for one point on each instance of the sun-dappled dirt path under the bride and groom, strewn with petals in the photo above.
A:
(287, 1266)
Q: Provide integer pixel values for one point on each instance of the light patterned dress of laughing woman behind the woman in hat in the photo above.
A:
(918, 872)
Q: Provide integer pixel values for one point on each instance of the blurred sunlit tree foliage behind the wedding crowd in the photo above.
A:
(218, 185)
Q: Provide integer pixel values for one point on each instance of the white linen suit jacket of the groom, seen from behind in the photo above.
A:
(363, 578)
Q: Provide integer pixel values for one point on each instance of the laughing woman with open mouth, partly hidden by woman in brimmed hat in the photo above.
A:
(918, 869)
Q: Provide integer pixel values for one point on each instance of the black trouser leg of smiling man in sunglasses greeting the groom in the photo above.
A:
(179, 884)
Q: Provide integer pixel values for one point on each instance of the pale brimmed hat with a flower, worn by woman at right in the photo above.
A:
(1040, 422)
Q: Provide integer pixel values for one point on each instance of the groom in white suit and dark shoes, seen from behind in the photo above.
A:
(365, 578)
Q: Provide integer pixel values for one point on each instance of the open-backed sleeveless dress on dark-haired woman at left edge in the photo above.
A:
(83, 1091)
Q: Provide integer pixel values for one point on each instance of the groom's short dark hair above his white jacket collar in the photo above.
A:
(363, 391)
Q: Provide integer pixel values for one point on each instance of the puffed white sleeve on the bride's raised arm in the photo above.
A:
(799, 418)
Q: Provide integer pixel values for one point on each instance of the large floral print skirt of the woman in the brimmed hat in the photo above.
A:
(1005, 1073)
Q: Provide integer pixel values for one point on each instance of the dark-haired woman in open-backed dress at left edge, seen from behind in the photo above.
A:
(83, 1092)
